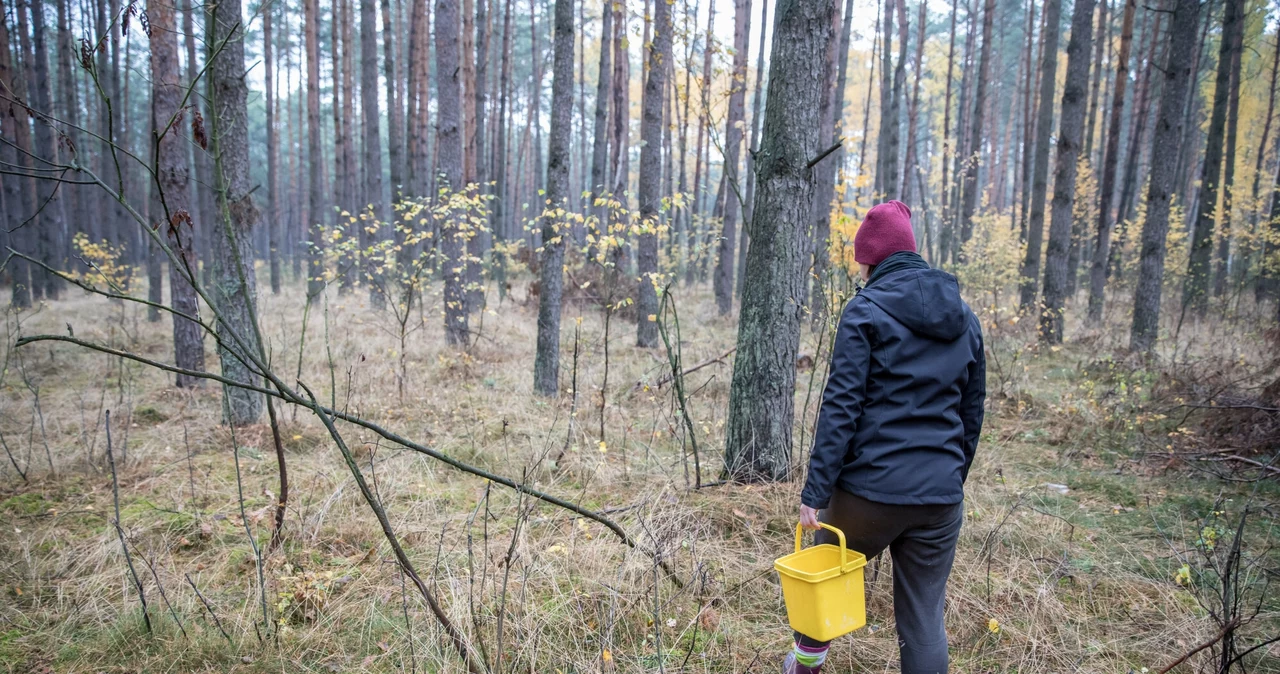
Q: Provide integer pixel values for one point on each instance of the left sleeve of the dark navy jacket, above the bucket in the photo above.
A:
(842, 404)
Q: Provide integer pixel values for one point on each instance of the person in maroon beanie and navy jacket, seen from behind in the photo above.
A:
(897, 433)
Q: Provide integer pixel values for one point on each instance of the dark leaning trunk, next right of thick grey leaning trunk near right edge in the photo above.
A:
(1203, 241)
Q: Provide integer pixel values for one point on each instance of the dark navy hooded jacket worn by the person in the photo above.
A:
(904, 402)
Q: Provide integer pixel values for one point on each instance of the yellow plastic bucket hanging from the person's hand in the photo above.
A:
(824, 589)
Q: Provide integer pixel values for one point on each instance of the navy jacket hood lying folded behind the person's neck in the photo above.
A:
(926, 301)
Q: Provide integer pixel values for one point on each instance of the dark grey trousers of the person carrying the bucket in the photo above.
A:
(922, 542)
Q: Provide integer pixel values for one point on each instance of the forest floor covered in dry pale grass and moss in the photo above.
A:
(1072, 557)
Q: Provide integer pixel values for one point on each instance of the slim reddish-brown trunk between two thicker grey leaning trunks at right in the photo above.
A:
(1103, 240)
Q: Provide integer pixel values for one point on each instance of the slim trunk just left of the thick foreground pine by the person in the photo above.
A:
(725, 267)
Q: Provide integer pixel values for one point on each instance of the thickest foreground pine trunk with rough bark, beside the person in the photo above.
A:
(762, 396)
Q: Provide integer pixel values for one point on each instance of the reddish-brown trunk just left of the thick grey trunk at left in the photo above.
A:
(172, 178)
